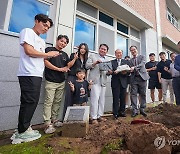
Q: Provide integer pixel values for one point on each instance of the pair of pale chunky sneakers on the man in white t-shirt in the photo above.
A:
(27, 136)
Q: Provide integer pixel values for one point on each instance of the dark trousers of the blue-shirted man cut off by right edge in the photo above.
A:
(176, 88)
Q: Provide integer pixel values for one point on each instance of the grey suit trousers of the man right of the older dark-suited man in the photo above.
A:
(138, 85)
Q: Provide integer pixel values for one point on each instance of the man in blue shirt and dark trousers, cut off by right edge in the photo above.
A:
(176, 80)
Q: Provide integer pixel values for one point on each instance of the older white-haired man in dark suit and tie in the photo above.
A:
(119, 84)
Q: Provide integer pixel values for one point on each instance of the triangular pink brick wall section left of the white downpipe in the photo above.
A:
(145, 8)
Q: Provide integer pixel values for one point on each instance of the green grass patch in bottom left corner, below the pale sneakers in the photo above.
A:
(35, 147)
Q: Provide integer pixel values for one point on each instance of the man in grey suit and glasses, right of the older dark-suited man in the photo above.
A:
(139, 77)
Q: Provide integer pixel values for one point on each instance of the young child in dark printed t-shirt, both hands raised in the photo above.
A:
(80, 88)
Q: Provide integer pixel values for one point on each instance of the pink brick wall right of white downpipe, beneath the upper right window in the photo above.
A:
(166, 27)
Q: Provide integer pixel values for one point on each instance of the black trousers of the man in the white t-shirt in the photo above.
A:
(30, 92)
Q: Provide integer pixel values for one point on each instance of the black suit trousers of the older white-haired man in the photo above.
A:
(119, 95)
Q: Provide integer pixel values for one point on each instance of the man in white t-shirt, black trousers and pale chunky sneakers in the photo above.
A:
(30, 73)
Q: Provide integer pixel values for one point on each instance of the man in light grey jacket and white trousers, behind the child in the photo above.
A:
(98, 74)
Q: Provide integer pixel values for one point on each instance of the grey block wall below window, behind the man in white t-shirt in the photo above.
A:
(9, 85)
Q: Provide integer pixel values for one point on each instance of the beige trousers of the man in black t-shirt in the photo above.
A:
(53, 97)
